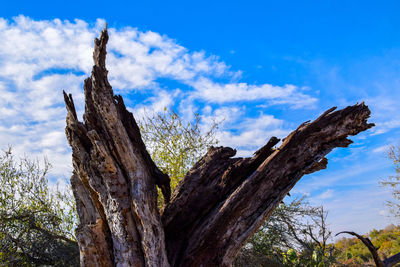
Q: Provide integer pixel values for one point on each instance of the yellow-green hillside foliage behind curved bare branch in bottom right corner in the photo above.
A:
(352, 252)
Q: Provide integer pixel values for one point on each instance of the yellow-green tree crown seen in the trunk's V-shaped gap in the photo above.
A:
(175, 146)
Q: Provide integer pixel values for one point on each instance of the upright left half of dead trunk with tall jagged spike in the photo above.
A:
(115, 192)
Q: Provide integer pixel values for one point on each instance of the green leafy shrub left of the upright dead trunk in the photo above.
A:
(36, 222)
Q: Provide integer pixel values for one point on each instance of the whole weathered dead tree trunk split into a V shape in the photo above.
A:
(217, 206)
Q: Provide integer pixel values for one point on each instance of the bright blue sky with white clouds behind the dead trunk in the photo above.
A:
(261, 67)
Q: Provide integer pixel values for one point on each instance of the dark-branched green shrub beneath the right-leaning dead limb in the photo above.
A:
(294, 235)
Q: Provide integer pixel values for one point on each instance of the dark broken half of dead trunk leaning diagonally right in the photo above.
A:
(218, 206)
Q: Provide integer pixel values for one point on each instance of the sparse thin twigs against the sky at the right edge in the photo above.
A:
(393, 182)
